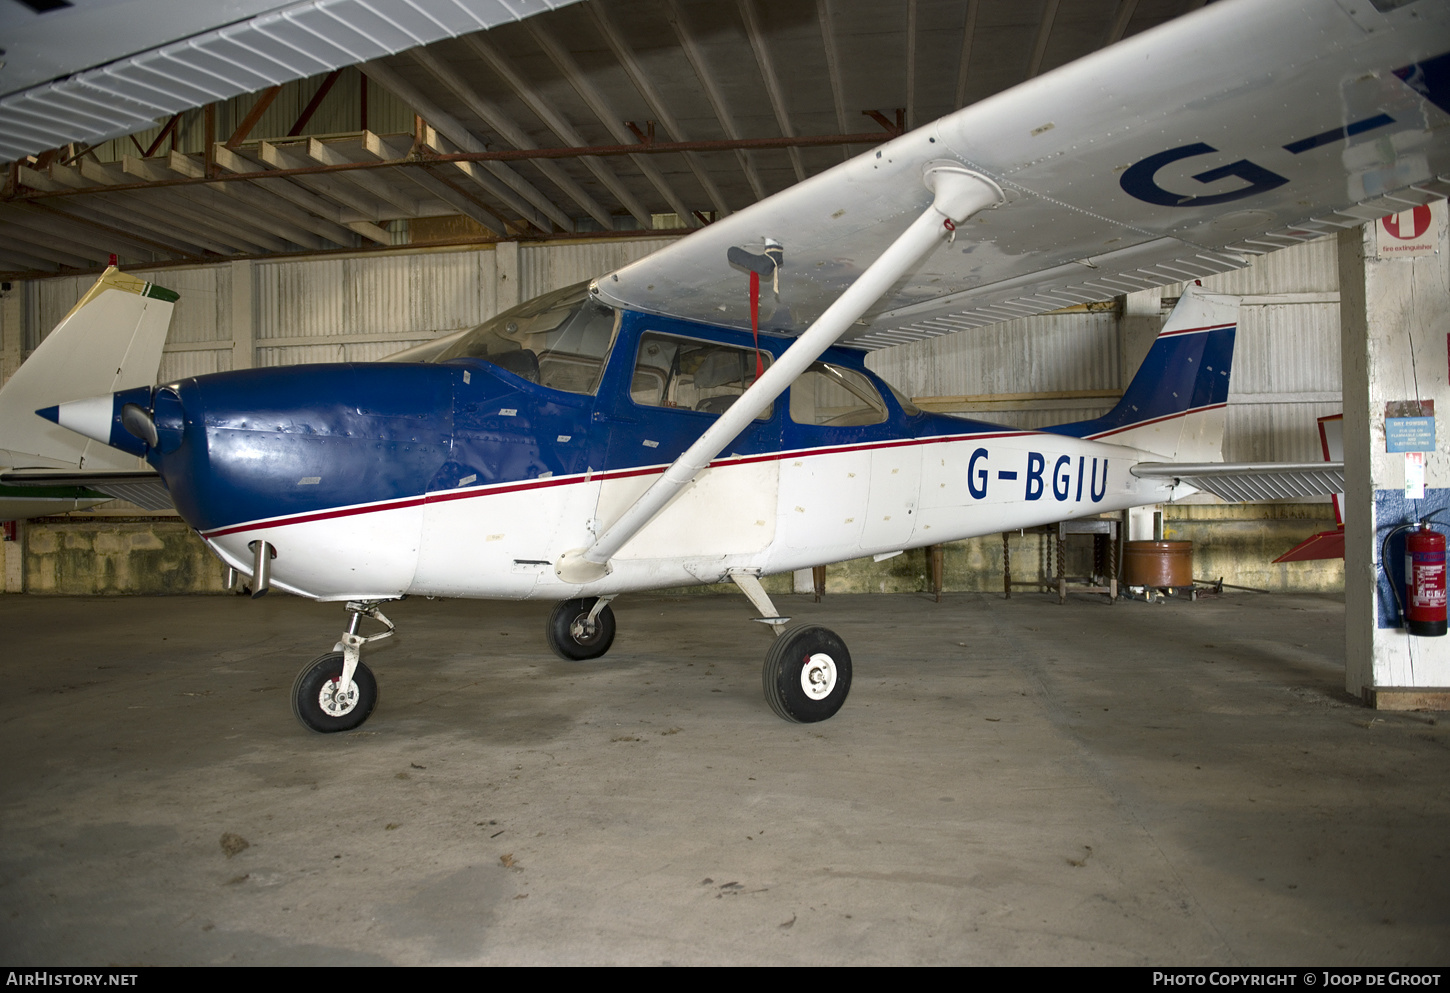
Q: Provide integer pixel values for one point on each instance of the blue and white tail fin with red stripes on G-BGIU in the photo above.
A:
(1178, 402)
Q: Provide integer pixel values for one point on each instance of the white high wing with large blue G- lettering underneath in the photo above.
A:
(1172, 156)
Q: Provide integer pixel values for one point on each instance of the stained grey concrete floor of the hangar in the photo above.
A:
(1010, 784)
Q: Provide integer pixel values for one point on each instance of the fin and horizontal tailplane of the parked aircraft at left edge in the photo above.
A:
(109, 341)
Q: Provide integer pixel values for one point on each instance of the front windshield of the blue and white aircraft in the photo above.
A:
(560, 340)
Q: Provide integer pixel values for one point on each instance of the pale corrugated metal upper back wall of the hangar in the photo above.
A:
(1287, 370)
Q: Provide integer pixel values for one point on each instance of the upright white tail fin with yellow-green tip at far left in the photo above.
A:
(111, 341)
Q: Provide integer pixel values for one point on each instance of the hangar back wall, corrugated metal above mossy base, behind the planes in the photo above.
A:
(1022, 373)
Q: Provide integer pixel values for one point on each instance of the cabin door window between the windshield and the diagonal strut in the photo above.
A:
(691, 375)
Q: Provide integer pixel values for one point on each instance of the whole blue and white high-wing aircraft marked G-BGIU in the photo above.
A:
(634, 434)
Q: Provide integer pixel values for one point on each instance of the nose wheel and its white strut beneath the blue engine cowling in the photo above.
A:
(337, 692)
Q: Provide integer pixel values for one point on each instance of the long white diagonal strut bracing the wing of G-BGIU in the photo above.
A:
(959, 195)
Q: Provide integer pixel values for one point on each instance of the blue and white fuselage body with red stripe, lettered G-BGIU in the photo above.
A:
(463, 479)
